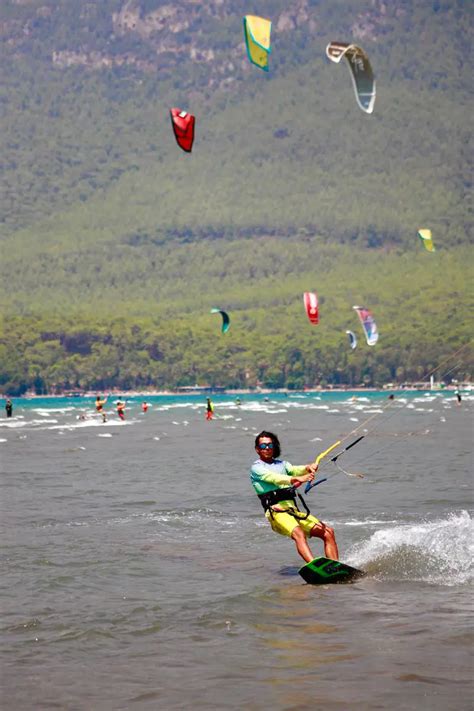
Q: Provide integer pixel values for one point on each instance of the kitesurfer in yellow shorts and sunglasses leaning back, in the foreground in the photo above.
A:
(275, 482)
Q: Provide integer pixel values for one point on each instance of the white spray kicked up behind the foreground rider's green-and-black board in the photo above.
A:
(438, 552)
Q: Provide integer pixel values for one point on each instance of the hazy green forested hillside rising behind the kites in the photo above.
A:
(115, 244)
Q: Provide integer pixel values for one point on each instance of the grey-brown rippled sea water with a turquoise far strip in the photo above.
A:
(138, 570)
